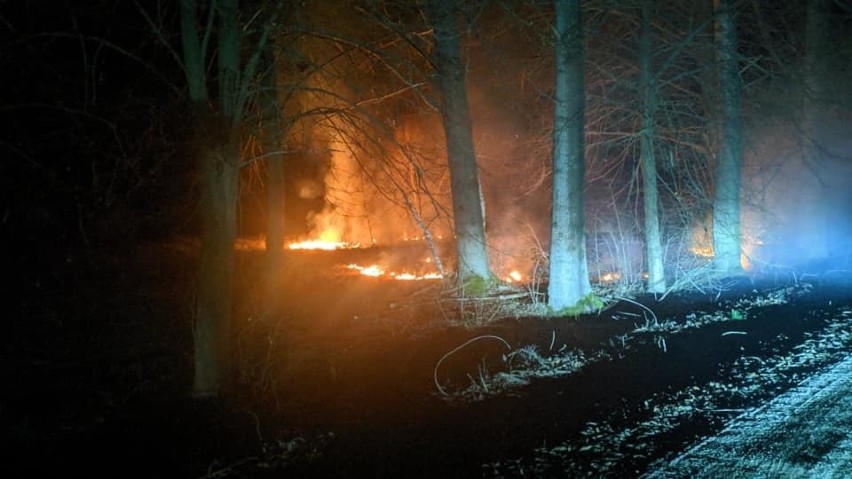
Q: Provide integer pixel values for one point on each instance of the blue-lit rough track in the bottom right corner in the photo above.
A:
(806, 432)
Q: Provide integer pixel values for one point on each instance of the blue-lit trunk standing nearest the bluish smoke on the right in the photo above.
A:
(726, 212)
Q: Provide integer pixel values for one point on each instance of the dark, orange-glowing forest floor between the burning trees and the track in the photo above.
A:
(96, 364)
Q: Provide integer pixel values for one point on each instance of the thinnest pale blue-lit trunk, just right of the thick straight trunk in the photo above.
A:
(653, 247)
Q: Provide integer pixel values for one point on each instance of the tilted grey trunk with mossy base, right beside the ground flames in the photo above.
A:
(468, 214)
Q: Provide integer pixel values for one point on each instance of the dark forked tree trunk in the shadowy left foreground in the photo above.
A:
(218, 131)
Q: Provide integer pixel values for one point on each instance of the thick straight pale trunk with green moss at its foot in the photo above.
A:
(569, 276)
